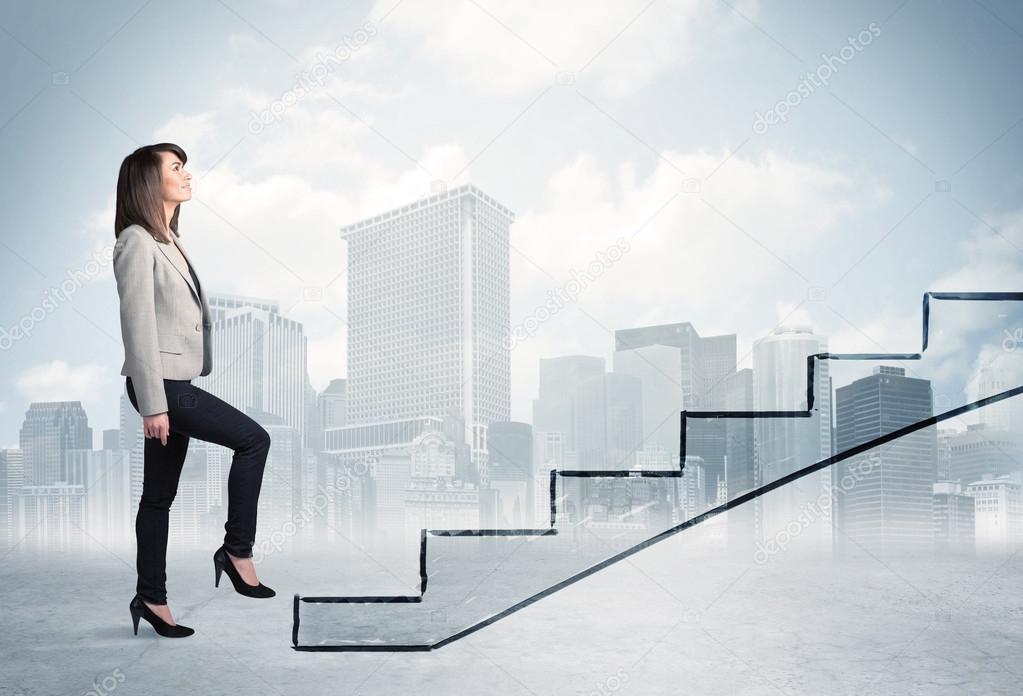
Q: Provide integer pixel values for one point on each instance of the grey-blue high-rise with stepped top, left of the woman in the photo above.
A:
(50, 430)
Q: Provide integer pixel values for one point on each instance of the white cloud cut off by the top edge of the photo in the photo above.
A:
(522, 47)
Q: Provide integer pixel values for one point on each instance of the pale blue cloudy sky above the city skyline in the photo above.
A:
(817, 162)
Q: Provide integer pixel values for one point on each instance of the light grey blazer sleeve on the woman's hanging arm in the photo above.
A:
(134, 265)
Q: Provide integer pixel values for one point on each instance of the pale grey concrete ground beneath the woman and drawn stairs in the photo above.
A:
(669, 620)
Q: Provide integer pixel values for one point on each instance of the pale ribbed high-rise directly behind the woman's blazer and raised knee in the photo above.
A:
(260, 359)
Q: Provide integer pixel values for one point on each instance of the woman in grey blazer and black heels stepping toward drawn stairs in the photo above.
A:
(165, 325)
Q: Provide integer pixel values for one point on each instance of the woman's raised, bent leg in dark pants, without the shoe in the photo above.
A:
(199, 414)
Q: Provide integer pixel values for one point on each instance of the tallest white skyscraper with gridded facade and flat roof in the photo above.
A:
(429, 306)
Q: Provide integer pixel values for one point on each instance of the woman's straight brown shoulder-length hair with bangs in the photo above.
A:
(140, 200)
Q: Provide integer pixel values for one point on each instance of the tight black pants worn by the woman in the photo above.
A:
(195, 413)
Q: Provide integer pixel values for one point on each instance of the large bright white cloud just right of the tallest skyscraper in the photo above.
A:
(752, 222)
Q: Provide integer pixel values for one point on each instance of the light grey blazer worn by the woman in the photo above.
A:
(165, 320)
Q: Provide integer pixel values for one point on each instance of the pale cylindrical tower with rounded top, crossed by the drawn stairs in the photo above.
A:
(786, 445)
